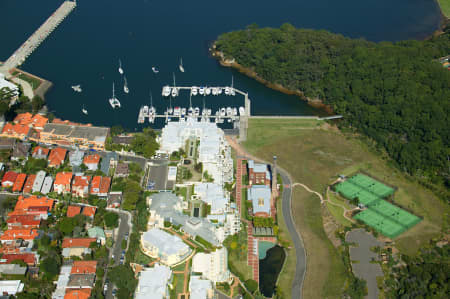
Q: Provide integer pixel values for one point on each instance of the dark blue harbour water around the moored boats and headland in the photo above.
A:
(86, 47)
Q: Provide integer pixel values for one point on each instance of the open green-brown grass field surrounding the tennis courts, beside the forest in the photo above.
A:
(316, 155)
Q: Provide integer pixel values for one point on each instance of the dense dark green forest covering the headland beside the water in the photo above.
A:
(395, 93)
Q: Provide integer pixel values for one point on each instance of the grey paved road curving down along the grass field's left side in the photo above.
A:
(300, 269)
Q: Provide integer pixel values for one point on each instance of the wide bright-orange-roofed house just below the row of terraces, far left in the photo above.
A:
(33, 205)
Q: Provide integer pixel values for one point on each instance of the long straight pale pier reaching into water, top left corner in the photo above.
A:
(25, 50)
